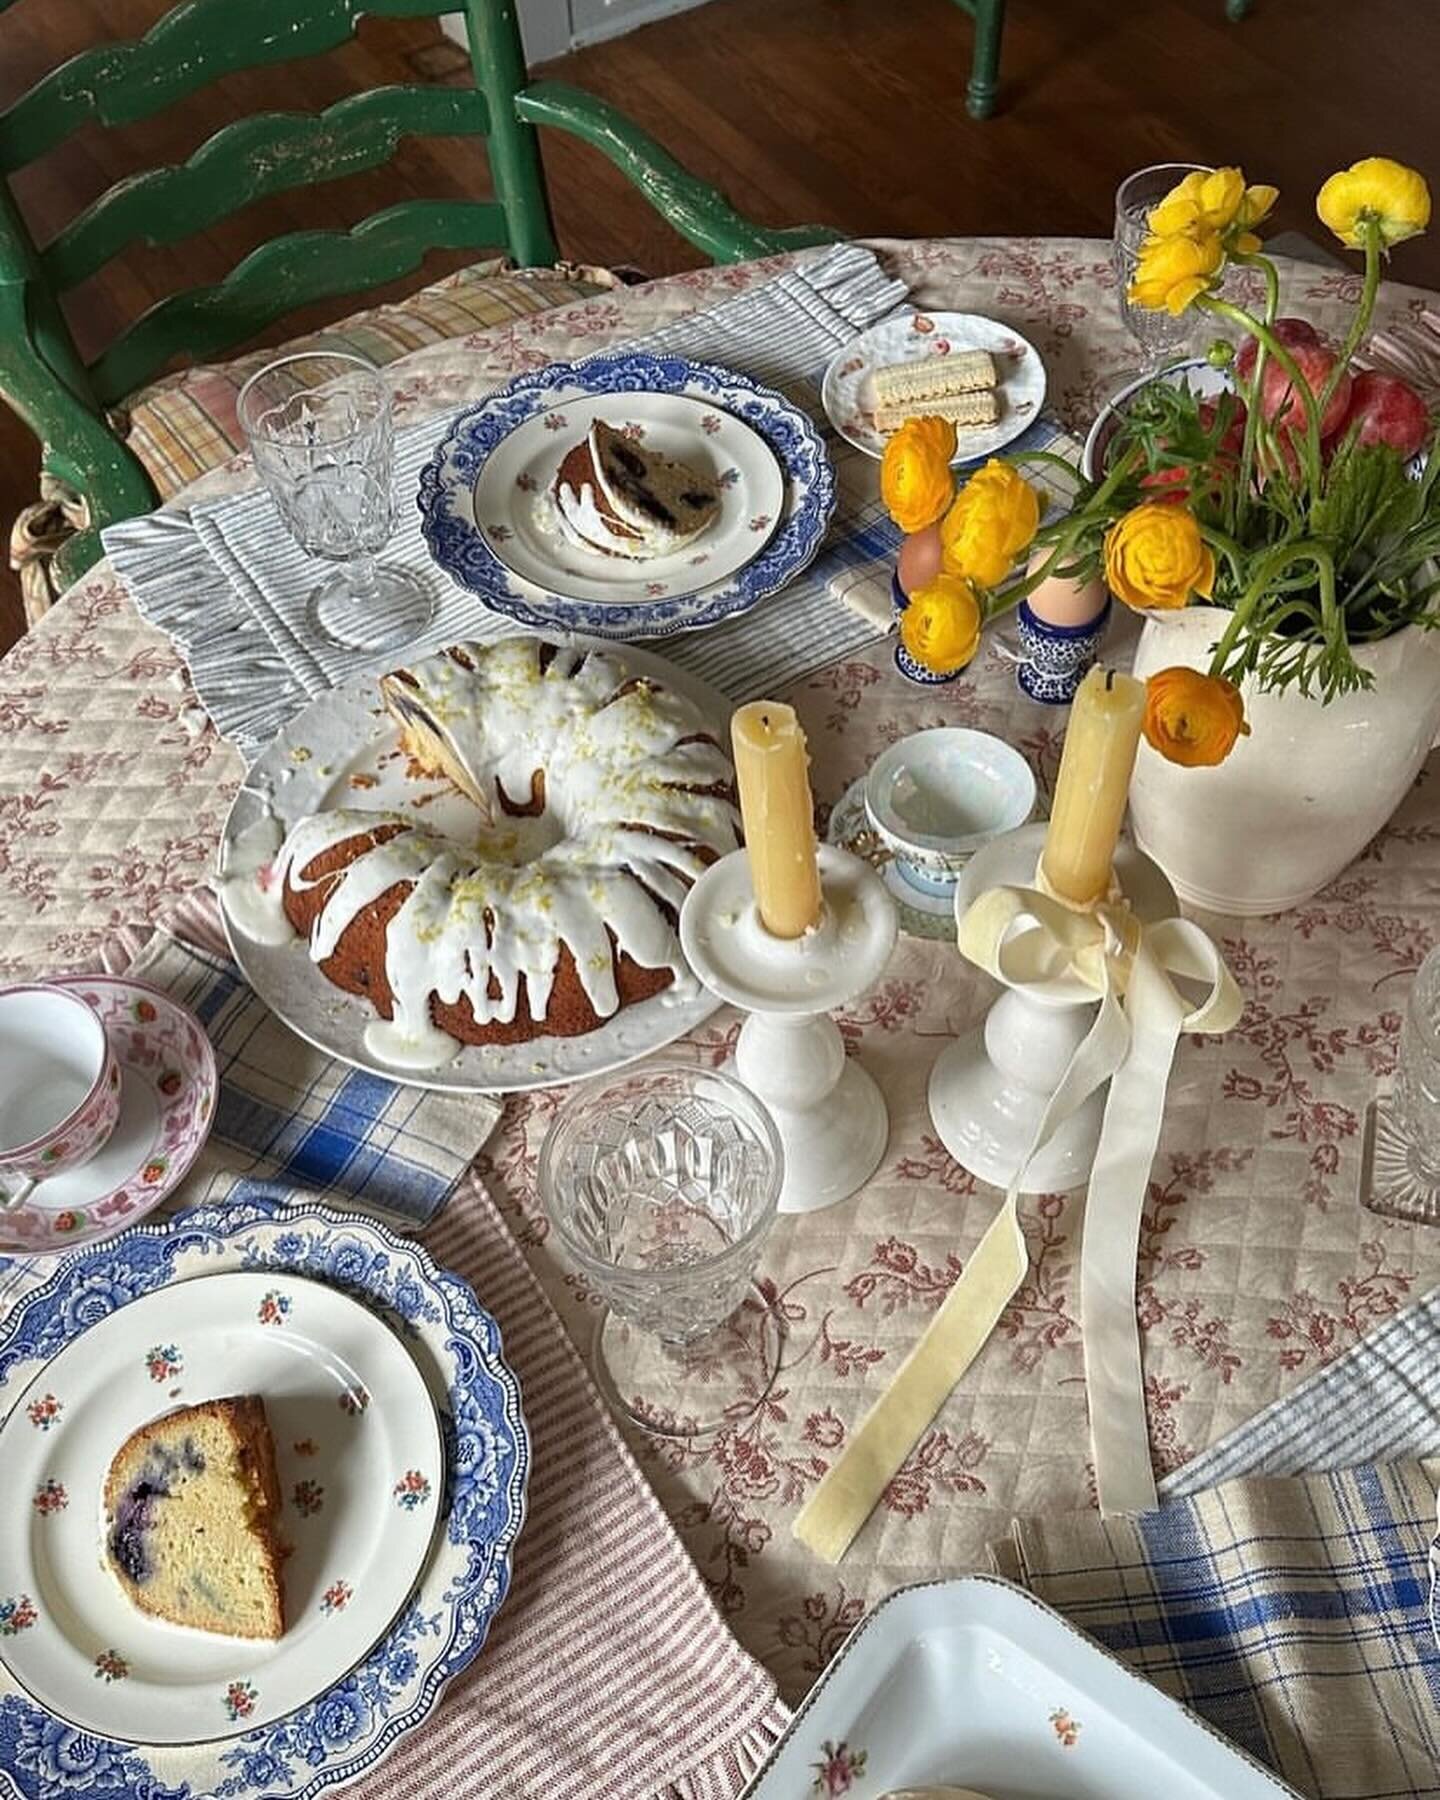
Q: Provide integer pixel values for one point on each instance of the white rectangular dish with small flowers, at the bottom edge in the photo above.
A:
(975, 1684)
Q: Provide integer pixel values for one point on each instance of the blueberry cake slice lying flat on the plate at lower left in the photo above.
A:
(193, 1509)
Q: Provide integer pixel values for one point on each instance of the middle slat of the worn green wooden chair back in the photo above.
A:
(251, 159)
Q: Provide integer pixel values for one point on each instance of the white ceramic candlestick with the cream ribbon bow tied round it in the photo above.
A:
(991, 1088)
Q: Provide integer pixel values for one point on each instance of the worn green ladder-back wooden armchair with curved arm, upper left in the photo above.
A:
(67, 402)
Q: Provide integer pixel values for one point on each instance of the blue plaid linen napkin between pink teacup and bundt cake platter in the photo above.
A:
(292, 1117)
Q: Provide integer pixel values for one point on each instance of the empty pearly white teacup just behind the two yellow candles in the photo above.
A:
(937, 796)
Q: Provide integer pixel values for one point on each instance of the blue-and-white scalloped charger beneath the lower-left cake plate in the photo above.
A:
(480, 1506)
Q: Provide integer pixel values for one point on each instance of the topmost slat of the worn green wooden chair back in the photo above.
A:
(190, 48)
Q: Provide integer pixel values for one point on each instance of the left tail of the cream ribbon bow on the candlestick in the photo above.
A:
(953, 1340)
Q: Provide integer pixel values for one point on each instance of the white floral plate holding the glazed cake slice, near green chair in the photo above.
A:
(517, 516)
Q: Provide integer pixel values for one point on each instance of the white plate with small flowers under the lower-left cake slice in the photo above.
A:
(361, 1466)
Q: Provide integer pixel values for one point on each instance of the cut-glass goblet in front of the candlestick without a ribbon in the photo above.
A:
(663, 1185)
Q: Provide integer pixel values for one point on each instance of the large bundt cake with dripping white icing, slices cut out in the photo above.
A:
(602, 796)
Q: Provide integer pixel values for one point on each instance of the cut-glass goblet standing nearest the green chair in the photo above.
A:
(319, 426)
